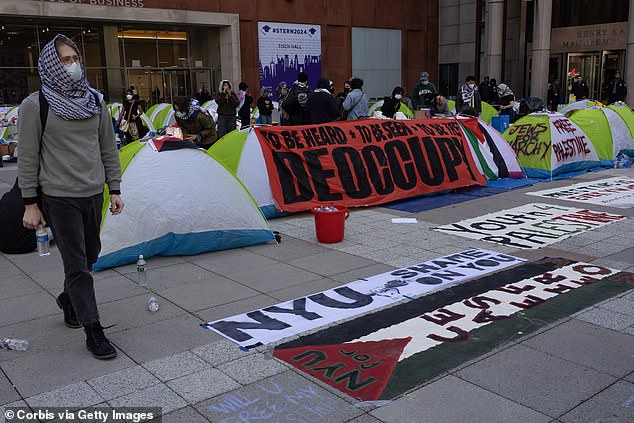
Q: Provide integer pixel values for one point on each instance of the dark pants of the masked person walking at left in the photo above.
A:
(75, 223)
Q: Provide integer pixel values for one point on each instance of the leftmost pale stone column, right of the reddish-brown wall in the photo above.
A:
(494, 39)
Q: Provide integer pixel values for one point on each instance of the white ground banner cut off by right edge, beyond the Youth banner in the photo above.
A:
(612, 192)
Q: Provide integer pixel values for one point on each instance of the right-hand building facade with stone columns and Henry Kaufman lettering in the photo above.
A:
(527, 43)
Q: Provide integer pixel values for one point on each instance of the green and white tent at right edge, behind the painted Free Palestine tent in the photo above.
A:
(607, 131)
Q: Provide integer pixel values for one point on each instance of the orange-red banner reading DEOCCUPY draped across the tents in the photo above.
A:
(366, 162)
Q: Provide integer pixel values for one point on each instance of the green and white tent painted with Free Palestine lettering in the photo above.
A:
(550, 144)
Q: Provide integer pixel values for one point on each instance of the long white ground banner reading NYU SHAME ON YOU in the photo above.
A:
(290, 318)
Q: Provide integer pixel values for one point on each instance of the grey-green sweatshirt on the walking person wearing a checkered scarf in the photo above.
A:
(77, 157)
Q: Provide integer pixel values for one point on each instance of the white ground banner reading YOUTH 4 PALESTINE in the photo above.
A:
(531, 226)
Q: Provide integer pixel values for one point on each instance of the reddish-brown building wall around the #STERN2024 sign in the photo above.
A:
(418, 20)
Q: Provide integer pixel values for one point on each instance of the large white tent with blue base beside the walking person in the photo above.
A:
(178, 201)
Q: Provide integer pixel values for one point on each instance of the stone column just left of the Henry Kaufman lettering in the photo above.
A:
(541, 48)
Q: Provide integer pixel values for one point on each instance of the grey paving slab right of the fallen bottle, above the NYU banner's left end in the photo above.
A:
(214, 291)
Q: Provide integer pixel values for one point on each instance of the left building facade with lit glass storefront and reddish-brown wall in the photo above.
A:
(167, 48)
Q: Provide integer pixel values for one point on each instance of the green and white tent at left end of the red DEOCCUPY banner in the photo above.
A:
(240, 151)
